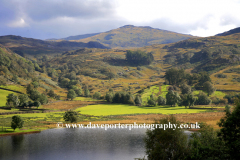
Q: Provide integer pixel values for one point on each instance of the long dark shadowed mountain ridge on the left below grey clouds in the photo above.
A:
(30, 46)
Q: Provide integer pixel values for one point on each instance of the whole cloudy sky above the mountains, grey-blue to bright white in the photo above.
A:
(44, 19)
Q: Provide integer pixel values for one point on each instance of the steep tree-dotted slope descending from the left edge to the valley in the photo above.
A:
(16, 72)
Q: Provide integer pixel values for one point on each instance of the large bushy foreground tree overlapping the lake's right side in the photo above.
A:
(166, 144)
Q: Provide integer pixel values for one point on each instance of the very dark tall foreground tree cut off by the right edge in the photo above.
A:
(230, 131)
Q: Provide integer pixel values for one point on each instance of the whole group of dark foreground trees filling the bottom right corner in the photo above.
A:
(205, 144)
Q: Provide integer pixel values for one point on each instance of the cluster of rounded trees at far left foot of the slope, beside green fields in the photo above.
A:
(21, 101)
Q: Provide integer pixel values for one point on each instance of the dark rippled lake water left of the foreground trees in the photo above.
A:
(83, 144)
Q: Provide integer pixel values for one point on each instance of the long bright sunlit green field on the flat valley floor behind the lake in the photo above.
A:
(119, 109)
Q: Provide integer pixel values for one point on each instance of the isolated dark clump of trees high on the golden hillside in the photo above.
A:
(139, 57)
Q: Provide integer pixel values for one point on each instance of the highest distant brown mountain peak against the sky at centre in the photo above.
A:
(130, 36)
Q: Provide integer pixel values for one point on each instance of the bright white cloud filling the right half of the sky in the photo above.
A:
(199, 17)
